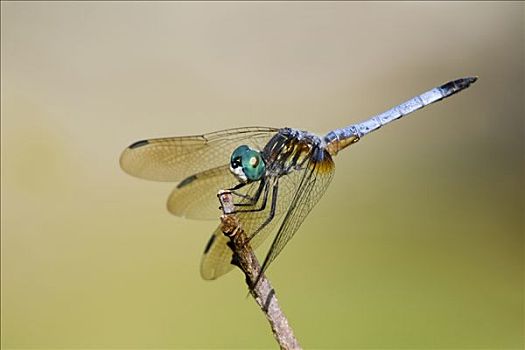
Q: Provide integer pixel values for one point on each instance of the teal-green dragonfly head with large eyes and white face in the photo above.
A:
(247, 164)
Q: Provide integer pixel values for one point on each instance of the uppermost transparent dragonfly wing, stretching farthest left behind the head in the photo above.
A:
(176, 158)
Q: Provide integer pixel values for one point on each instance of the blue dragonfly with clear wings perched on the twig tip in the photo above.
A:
(277, 175)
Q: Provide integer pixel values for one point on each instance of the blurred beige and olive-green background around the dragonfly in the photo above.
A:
(418, 242)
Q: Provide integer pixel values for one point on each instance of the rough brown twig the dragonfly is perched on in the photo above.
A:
(245, 259)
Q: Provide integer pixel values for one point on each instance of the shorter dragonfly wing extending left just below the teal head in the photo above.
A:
(196, 196)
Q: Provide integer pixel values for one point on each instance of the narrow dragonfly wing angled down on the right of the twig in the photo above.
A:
(310, 189)
